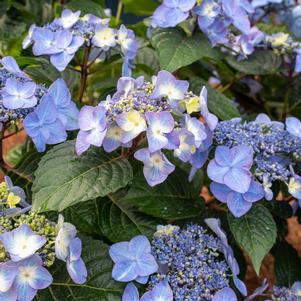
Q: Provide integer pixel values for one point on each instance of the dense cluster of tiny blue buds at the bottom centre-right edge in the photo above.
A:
(193, 262)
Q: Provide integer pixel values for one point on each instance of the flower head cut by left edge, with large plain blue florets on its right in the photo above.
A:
(47, 113)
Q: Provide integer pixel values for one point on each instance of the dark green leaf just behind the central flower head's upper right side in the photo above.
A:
(218, 103)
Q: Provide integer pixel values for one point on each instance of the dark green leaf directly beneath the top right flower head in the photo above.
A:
(259, 63)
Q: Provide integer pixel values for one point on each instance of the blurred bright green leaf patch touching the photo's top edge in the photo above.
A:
(140, 8)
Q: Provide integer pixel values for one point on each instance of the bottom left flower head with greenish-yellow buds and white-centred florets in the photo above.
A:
(30, 244)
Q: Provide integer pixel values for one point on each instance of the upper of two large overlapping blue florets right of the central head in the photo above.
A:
(232, 167)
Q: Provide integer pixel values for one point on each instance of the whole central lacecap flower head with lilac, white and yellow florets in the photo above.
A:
(148, 118)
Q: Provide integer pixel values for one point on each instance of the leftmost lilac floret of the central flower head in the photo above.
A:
(93, 128)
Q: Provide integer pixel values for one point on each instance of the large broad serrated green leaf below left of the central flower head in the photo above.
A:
(64, 179)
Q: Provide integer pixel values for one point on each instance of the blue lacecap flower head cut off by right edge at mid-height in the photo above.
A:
(251, 157)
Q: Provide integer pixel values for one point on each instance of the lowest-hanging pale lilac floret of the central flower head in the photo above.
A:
(156, 166)
